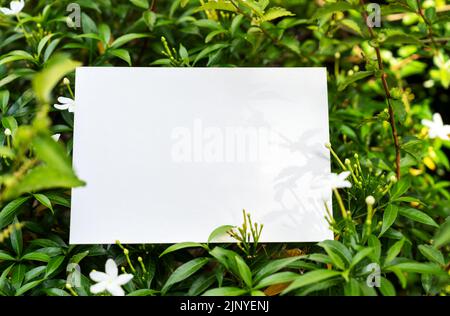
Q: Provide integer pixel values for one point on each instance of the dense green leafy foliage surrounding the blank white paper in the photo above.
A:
(402, 66)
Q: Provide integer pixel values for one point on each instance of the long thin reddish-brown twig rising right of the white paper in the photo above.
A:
(387, 94)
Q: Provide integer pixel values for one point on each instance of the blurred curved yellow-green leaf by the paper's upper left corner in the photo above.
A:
(56, 68)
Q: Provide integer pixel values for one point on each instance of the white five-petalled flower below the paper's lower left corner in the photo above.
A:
(110, 280)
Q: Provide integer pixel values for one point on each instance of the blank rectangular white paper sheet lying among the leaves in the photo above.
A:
(170, 154)
